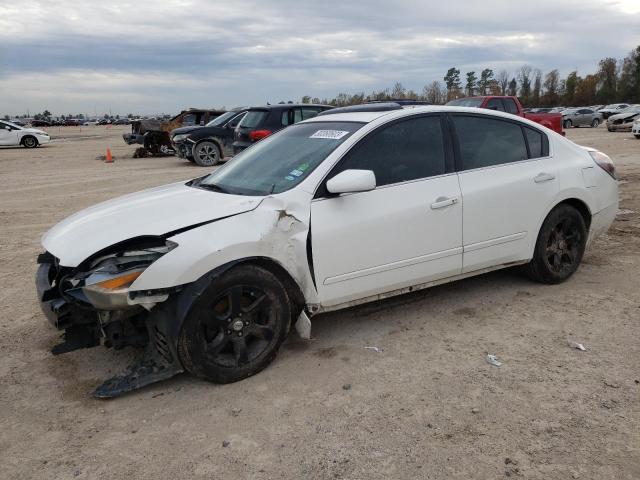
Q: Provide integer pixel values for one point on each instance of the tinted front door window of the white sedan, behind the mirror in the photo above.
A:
(407, 150)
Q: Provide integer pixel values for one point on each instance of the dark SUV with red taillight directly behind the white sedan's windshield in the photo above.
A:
(260, 122)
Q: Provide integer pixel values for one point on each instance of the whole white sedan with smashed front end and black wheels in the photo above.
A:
(345, 208)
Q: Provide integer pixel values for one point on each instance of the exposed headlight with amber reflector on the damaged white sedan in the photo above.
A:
(106, 284)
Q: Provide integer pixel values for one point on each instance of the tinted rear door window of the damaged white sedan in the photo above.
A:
(485, 142)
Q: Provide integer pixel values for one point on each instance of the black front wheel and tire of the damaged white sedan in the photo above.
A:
(236, 326)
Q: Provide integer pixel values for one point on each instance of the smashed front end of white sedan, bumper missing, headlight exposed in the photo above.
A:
(93, 305)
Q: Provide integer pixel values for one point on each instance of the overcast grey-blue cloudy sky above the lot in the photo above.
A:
(160, 56)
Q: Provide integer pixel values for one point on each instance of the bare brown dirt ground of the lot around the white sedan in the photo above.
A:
(427, 405)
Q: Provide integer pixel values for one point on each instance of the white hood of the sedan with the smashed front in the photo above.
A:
(156, 211)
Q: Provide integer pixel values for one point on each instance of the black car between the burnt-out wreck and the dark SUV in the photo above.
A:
(210, 144)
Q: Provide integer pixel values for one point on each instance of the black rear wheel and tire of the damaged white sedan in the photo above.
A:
(559, 247)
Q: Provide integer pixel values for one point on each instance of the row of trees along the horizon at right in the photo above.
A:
(616, 80)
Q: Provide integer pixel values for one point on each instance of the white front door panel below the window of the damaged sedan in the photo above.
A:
(348, 266)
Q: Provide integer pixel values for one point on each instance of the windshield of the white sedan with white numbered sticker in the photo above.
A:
(278, 163)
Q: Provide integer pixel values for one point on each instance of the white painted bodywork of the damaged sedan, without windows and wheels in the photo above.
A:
(364, 245)
